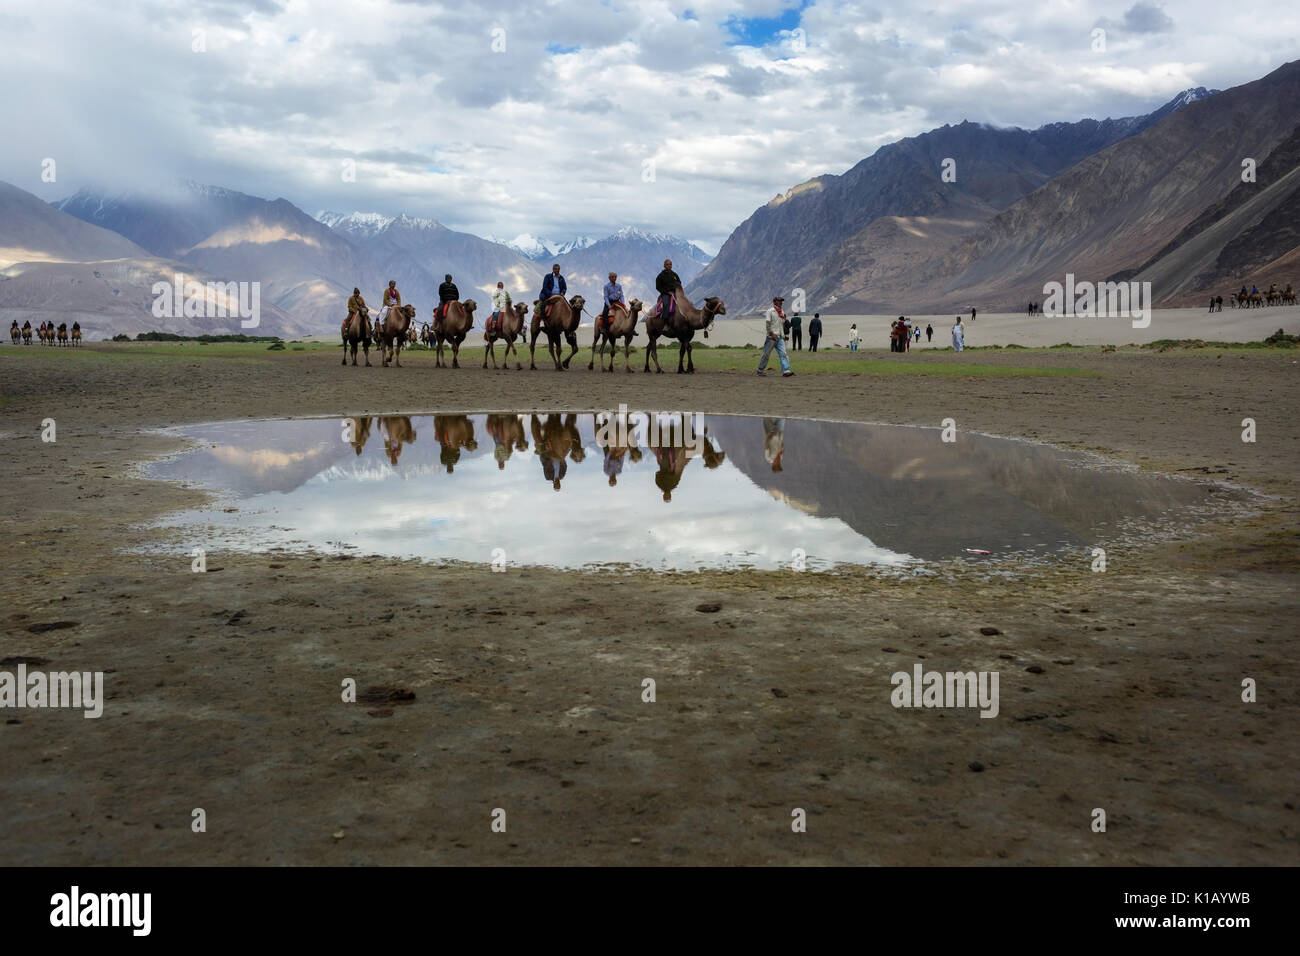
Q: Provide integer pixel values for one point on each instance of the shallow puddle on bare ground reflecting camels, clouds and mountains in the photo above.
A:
(660, 491)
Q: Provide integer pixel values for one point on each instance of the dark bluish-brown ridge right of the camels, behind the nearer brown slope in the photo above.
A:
(812, 237)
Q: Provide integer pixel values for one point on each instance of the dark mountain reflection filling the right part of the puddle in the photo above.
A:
(911, 492)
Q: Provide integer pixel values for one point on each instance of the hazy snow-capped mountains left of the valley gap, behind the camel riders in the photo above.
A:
(99, 256)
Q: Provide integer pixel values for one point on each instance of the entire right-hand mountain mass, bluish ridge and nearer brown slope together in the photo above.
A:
(1151, 198)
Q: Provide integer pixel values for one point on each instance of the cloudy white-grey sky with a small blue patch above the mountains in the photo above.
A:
(577, 116)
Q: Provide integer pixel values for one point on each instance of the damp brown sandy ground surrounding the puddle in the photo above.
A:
(1119, 690)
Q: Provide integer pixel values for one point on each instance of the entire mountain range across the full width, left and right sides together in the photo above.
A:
(1158, 198)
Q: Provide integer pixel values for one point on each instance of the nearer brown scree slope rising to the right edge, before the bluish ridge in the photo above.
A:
(1117, 209)
